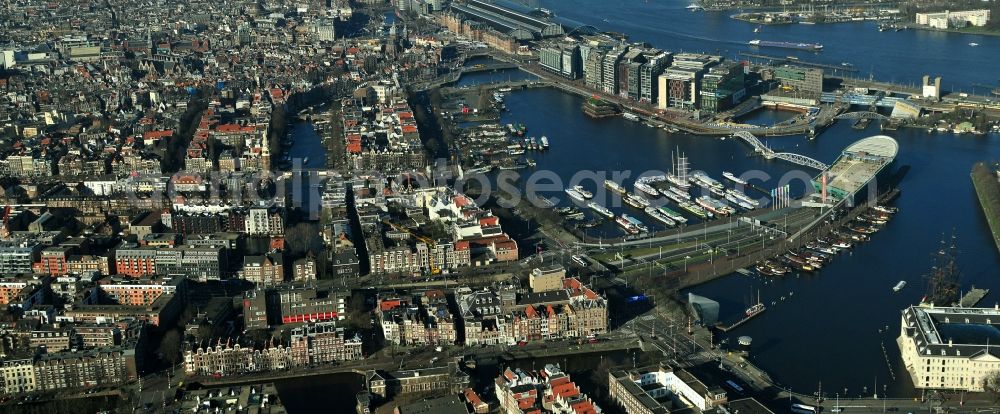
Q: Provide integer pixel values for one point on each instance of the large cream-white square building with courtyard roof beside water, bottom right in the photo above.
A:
(950, 348)
